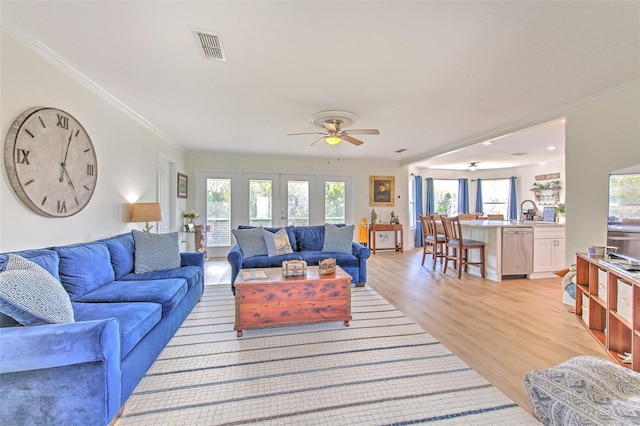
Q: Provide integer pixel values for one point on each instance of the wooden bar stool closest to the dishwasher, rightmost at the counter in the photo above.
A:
(457, 248)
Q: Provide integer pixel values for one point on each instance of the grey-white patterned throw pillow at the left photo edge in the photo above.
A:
(31, 295)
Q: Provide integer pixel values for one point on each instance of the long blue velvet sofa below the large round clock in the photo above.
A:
(82, 372)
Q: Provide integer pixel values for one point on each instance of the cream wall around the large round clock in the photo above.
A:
(126, 150)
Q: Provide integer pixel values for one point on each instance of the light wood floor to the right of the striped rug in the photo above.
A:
(502, 330)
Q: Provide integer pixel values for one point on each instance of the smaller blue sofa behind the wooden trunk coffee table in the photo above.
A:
(307, 244)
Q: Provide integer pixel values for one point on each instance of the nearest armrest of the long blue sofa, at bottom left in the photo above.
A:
(61, 373)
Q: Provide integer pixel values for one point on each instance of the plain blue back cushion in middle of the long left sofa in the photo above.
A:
(84, 267)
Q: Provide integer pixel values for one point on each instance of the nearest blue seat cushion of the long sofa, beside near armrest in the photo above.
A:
(136, 319)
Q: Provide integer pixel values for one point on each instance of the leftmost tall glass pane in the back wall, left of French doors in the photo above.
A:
(218, 212)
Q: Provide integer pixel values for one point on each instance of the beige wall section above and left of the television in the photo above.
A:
(601, 136)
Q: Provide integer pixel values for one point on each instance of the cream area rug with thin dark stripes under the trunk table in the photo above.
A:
(382, 370)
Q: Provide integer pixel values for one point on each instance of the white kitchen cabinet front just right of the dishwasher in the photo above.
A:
(548, 249)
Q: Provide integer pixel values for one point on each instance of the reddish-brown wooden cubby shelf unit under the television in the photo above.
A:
(608, 304)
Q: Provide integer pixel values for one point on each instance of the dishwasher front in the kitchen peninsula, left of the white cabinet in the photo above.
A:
(517, 251)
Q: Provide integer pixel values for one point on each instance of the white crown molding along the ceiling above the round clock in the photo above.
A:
(58, 61)
